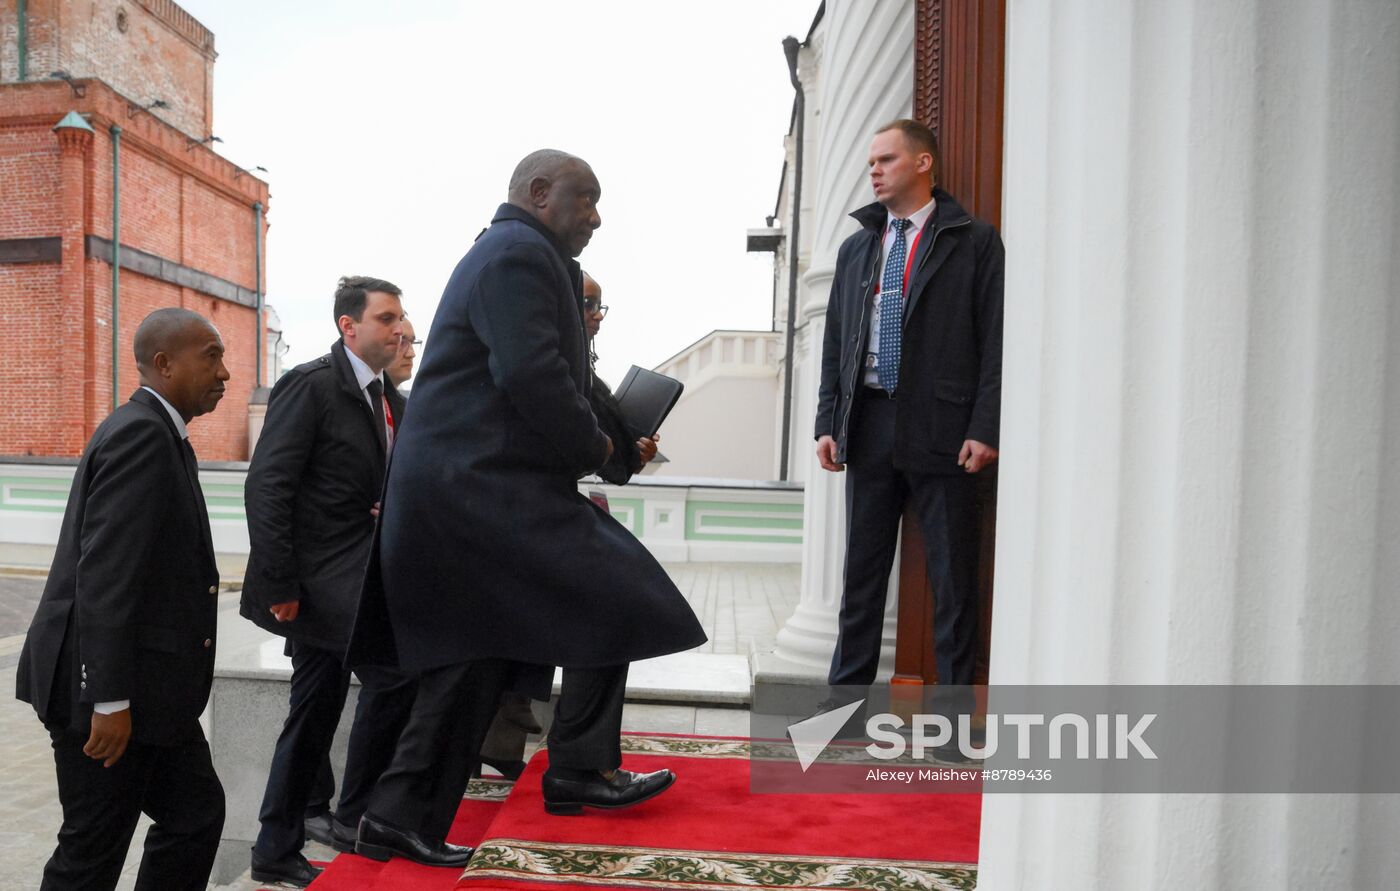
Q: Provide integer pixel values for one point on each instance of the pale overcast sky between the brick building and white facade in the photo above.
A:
(390, 132)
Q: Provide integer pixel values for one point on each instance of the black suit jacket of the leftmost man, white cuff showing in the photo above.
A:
(129, 609)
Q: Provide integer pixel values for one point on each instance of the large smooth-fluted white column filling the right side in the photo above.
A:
(1200, 446)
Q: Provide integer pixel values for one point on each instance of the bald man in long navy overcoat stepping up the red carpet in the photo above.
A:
(491, 562)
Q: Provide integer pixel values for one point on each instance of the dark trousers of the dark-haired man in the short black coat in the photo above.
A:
(300, 770)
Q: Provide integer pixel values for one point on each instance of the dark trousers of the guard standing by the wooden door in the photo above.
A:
(876, 498)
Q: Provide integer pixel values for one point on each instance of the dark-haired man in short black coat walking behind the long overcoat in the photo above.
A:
(313, 497)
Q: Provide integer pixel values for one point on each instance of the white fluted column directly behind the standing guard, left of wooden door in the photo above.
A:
(864, 68)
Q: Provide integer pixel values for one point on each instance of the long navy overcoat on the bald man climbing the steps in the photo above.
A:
(486, 548)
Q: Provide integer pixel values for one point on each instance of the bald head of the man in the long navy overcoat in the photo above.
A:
(562, 193)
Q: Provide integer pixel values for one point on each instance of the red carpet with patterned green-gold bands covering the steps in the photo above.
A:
(709, 833)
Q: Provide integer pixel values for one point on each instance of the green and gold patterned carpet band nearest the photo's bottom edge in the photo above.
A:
(654, 868)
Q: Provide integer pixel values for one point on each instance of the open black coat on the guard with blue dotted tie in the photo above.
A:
(950, 365)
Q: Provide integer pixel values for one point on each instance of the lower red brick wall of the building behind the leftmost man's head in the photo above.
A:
(188, 207)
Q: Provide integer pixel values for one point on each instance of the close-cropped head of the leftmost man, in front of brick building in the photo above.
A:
(181, 357)
